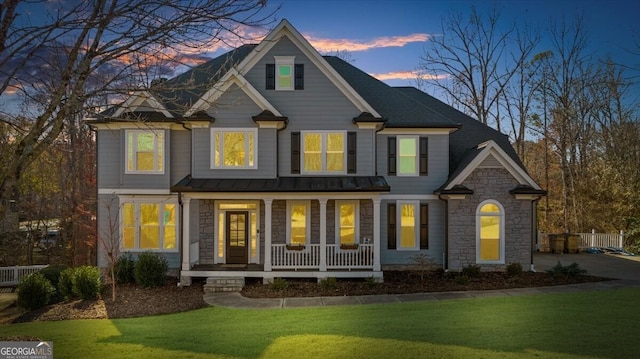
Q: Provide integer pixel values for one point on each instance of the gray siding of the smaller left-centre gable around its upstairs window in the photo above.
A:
(234, 110)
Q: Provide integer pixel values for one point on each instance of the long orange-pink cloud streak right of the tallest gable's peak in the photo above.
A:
(328, 45)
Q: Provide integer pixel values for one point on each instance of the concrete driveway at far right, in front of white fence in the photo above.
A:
(602, 265)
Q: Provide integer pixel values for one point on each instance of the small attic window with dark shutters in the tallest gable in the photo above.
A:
(285, 74)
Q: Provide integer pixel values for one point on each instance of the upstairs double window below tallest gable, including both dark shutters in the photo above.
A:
(323, 152)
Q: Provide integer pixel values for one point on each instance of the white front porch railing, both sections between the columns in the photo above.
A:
(309, 257)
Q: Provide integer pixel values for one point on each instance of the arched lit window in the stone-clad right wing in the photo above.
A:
(490, 232)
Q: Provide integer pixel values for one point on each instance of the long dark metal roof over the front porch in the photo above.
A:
(285, 184)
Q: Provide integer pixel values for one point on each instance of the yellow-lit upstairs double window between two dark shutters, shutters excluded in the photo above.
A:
(323, 152)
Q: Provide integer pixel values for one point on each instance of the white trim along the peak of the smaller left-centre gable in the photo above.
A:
(231, 77)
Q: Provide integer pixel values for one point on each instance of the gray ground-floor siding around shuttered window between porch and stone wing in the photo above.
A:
(393, 257)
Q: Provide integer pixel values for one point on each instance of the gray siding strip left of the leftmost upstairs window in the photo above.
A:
(109, 157)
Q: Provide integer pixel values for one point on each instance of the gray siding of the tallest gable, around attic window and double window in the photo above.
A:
(320, 107)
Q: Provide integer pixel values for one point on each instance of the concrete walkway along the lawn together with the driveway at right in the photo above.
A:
(627, 270)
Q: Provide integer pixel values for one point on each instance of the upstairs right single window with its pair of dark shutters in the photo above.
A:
(407, 156)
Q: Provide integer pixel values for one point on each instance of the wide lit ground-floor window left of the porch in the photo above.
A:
(149, 226)
